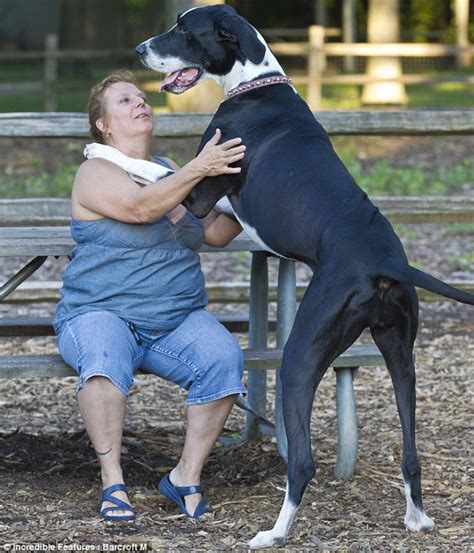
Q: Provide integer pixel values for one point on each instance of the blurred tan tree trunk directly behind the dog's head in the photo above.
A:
(206, 96)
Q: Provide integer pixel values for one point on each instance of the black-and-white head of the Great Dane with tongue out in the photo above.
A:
(205, 42)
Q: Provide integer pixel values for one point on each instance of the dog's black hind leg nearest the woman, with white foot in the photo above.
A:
(324, 327)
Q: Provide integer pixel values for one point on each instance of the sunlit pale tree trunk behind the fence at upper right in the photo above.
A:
(383, 27)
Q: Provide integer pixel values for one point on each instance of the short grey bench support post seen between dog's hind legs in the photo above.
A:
(346, 423)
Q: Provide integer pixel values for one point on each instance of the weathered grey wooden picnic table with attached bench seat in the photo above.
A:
(39, 243)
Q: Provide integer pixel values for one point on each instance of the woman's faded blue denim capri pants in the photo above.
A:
(200, 355)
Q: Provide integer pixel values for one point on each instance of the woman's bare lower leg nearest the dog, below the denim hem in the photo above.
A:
(205, 423)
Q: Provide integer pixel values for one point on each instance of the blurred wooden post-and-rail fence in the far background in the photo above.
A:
(315, 50)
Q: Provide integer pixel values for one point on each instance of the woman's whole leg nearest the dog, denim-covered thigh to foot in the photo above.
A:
(205, 359)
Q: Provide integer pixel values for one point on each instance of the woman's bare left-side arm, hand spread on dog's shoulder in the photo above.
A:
(103, 189)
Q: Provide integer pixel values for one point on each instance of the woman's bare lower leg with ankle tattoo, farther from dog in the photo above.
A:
(103, 407)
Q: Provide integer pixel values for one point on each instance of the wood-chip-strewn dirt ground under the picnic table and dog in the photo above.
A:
(49, 478)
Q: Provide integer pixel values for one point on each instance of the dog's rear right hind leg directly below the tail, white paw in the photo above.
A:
(395, 342)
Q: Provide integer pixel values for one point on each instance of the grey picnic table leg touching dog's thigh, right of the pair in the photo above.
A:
(286, 311)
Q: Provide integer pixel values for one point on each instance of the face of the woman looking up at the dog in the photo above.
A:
(127, 114)
